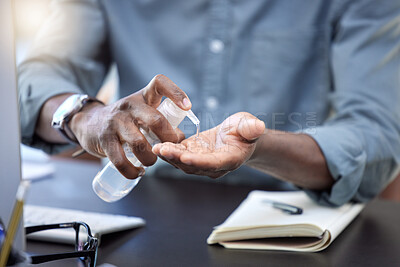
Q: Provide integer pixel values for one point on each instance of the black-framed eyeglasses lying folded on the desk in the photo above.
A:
(85, 244)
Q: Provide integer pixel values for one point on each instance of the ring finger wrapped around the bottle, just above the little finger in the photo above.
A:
(130, 134)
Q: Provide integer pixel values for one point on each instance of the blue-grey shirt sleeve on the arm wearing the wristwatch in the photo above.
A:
(69, 55)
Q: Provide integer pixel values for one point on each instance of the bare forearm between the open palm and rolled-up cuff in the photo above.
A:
(295, 158)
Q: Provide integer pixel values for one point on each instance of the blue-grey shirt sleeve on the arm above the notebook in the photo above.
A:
(361, 141)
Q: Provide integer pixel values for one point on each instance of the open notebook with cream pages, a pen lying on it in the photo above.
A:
(256, 224)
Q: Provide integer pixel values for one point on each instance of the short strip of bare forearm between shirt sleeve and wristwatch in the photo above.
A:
(43, 127)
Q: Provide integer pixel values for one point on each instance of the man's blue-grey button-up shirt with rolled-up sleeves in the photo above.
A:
(327, 68)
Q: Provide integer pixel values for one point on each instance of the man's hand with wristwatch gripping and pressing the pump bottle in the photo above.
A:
(101, 130)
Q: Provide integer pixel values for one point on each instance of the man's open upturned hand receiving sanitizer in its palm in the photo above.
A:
(216, 151)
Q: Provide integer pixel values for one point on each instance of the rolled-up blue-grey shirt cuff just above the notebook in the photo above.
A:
(346, 160)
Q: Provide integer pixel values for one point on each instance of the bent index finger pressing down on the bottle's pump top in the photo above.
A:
(161, 86)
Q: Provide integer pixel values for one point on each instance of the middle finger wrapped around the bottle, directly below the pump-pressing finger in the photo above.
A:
(151, 119)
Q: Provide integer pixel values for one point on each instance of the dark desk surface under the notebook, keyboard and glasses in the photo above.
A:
(181, 214)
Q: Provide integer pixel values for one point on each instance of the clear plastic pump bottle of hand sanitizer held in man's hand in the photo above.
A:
(109, 184)
